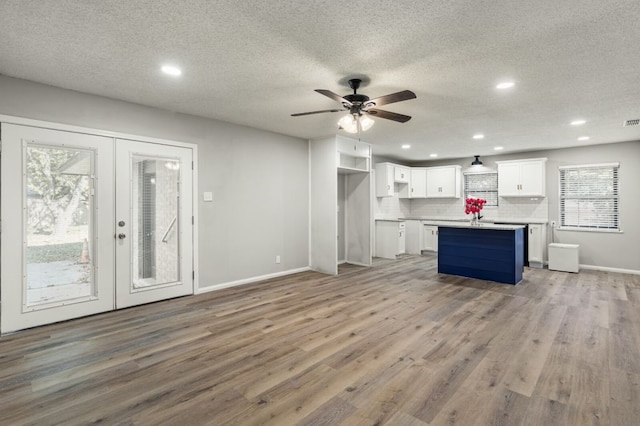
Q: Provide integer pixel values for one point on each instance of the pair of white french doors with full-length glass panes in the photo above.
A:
(90, 224)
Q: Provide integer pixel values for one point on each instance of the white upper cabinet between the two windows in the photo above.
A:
(522, 178)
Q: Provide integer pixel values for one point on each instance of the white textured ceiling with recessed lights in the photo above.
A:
(256, 62)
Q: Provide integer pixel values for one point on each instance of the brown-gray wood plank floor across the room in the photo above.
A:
(394, 344)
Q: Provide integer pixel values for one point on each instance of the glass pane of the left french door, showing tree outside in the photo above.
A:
(59, 236)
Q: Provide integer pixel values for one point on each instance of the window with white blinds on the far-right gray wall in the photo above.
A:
(589, 196)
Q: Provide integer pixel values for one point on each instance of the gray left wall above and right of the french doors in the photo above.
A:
(259, 179)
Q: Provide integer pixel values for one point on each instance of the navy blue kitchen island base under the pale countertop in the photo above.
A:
(484, 253)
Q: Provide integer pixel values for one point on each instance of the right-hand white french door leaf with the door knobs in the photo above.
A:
(154, 222)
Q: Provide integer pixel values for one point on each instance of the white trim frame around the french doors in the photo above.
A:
(114, 135)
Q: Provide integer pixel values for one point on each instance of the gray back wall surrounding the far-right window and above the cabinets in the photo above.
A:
(608, 250)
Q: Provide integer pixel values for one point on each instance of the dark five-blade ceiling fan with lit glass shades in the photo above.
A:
(360, 107)
